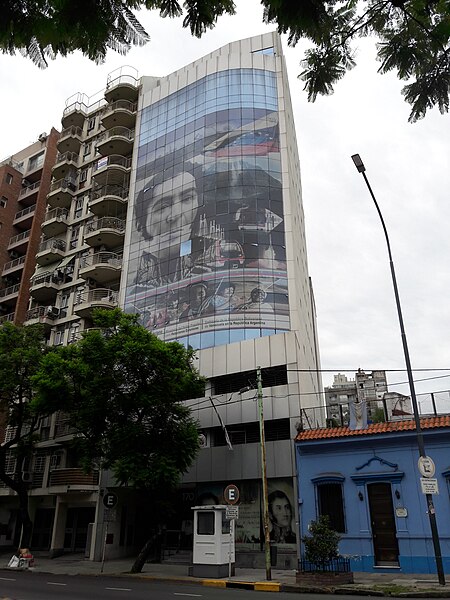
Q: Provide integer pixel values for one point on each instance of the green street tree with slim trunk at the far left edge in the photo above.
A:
(21, 353)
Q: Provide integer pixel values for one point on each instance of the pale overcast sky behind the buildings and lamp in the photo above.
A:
(407, 165)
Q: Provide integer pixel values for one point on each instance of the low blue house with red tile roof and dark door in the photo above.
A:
(368, 482)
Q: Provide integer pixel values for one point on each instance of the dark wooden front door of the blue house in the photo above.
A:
(384, 533)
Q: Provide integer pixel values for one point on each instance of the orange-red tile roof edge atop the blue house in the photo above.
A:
(409, 425)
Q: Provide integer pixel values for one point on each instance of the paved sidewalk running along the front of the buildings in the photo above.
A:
(379, 584)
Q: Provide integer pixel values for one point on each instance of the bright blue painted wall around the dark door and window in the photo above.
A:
(390, 457)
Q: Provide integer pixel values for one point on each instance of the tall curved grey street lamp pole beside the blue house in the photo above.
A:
(420, 442)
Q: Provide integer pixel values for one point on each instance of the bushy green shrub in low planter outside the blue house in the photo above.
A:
(322, 564)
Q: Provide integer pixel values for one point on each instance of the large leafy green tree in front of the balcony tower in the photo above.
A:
(122, 389)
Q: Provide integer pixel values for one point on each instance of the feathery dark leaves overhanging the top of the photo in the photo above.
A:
(413, 35)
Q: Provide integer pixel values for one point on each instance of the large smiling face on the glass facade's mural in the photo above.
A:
(173, 206)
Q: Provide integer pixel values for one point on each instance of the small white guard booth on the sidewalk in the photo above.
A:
(213, 542)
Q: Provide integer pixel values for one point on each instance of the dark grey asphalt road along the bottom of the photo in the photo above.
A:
(44, 586)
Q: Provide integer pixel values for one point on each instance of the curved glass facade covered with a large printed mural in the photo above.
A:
(207, 261)
